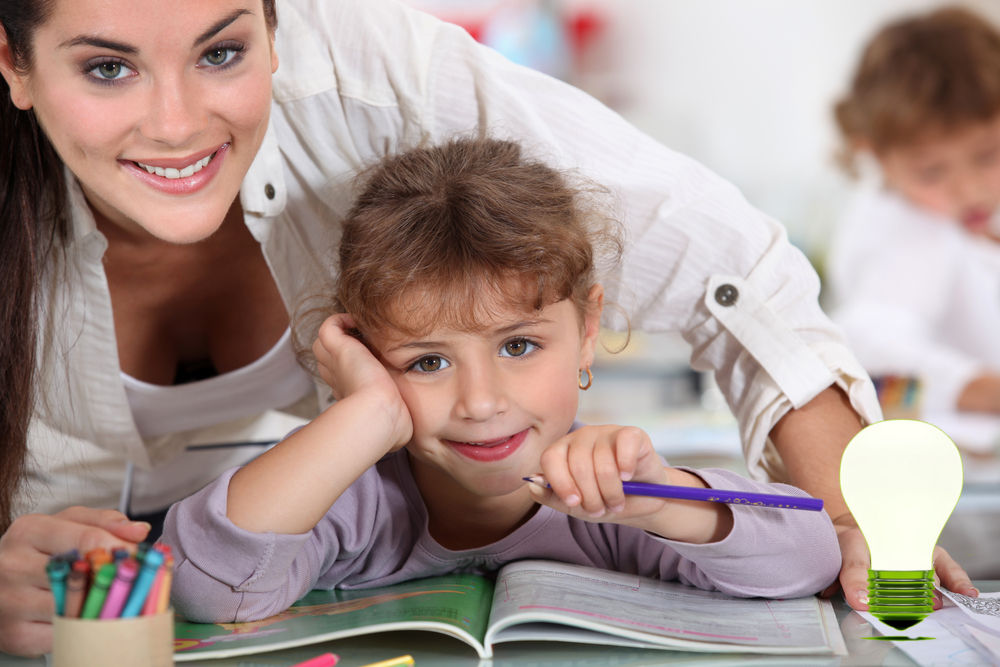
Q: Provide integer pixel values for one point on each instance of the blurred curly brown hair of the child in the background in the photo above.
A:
(923, 74)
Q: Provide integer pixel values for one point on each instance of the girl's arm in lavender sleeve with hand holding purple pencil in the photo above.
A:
(745, 551)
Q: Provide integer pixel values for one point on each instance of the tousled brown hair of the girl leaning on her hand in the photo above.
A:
(463, 219)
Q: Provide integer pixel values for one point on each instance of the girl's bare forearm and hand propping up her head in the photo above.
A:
(290, 487)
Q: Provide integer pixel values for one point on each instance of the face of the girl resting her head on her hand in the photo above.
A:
(485, 405)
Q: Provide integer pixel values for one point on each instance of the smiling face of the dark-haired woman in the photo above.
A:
(158, 108)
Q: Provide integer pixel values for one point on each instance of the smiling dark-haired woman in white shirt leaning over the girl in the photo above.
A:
(167, 217)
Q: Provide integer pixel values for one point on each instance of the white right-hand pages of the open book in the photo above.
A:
(648, 612)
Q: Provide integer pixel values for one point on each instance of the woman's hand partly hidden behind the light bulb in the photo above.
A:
(855, 563)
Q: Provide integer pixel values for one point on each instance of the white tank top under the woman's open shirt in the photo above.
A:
(272, 381)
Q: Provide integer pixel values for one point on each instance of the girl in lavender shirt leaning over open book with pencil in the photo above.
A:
(465, 321)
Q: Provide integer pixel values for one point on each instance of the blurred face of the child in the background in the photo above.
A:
(956, 174)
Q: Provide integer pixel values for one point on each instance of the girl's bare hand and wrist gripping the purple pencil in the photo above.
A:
(586, 468)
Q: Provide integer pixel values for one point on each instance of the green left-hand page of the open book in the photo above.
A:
(457, 605)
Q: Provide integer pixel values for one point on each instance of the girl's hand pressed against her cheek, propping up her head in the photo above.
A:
(350, 368)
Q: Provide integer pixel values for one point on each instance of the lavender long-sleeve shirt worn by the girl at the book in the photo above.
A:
(376, 534)
